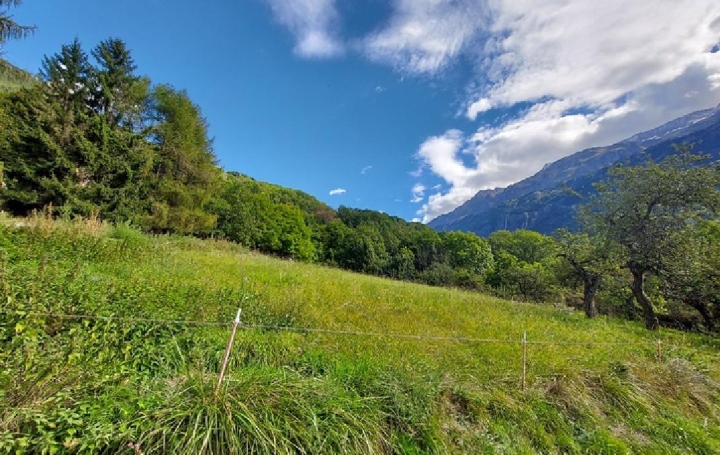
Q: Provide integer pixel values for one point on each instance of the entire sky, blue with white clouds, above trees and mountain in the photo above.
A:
(406, 106)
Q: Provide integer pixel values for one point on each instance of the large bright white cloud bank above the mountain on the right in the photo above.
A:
(592, 73)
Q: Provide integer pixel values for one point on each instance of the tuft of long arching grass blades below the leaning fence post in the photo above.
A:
(261, 411)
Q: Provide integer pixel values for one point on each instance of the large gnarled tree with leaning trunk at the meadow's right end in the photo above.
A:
(650, 212)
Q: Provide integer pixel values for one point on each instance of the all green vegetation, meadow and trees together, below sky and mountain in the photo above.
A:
(95, 358)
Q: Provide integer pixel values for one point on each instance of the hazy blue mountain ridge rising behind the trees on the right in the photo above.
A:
(547, 200)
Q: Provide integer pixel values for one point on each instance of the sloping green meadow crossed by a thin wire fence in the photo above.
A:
(97, 386)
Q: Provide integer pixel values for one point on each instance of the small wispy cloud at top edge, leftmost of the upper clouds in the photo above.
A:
(314, 23)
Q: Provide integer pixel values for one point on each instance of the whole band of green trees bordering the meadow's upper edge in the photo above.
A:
(92, 137)
